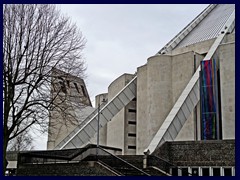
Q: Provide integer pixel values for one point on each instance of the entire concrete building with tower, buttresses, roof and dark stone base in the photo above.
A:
(151, 121)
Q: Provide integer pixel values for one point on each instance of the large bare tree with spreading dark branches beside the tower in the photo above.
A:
(36, 39)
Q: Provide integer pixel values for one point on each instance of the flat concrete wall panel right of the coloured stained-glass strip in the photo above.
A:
(227, 85)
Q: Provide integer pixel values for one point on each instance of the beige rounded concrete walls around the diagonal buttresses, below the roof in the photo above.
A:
(159, 84)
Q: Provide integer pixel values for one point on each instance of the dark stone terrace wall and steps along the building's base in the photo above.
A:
(194, 158)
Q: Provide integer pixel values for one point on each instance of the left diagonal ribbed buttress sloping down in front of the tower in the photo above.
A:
(85, 131)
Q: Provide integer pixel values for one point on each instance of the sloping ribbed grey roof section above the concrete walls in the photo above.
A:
(207, 25)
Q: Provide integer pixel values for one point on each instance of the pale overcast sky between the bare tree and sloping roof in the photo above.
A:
(121, 38)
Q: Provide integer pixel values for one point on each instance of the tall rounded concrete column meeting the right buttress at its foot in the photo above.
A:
(159, 72)
